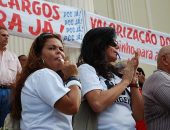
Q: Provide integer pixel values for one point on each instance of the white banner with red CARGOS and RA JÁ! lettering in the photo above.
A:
(29, 18)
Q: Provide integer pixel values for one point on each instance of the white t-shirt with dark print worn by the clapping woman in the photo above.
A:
(118, 116)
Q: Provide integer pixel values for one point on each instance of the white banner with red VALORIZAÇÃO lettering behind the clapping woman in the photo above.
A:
(131, 38)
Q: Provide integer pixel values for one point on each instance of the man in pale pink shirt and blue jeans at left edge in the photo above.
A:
(9, 68)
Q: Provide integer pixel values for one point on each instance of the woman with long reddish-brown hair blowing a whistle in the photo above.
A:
(47, 92)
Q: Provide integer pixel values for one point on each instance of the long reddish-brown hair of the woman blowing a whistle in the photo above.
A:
(34, 63)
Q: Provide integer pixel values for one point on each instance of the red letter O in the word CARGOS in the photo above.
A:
(46, 10)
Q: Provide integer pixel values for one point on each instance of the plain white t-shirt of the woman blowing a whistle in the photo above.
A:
(39, 94)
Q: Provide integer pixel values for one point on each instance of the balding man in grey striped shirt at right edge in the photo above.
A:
(156, 93)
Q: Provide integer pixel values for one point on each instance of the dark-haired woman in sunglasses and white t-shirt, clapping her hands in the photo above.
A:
(117, 105)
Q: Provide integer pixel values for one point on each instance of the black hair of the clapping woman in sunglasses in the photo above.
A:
(94, 45)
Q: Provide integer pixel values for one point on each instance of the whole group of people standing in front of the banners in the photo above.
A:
(46, 91)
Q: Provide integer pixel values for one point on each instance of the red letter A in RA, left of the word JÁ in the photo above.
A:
(15, 21)
